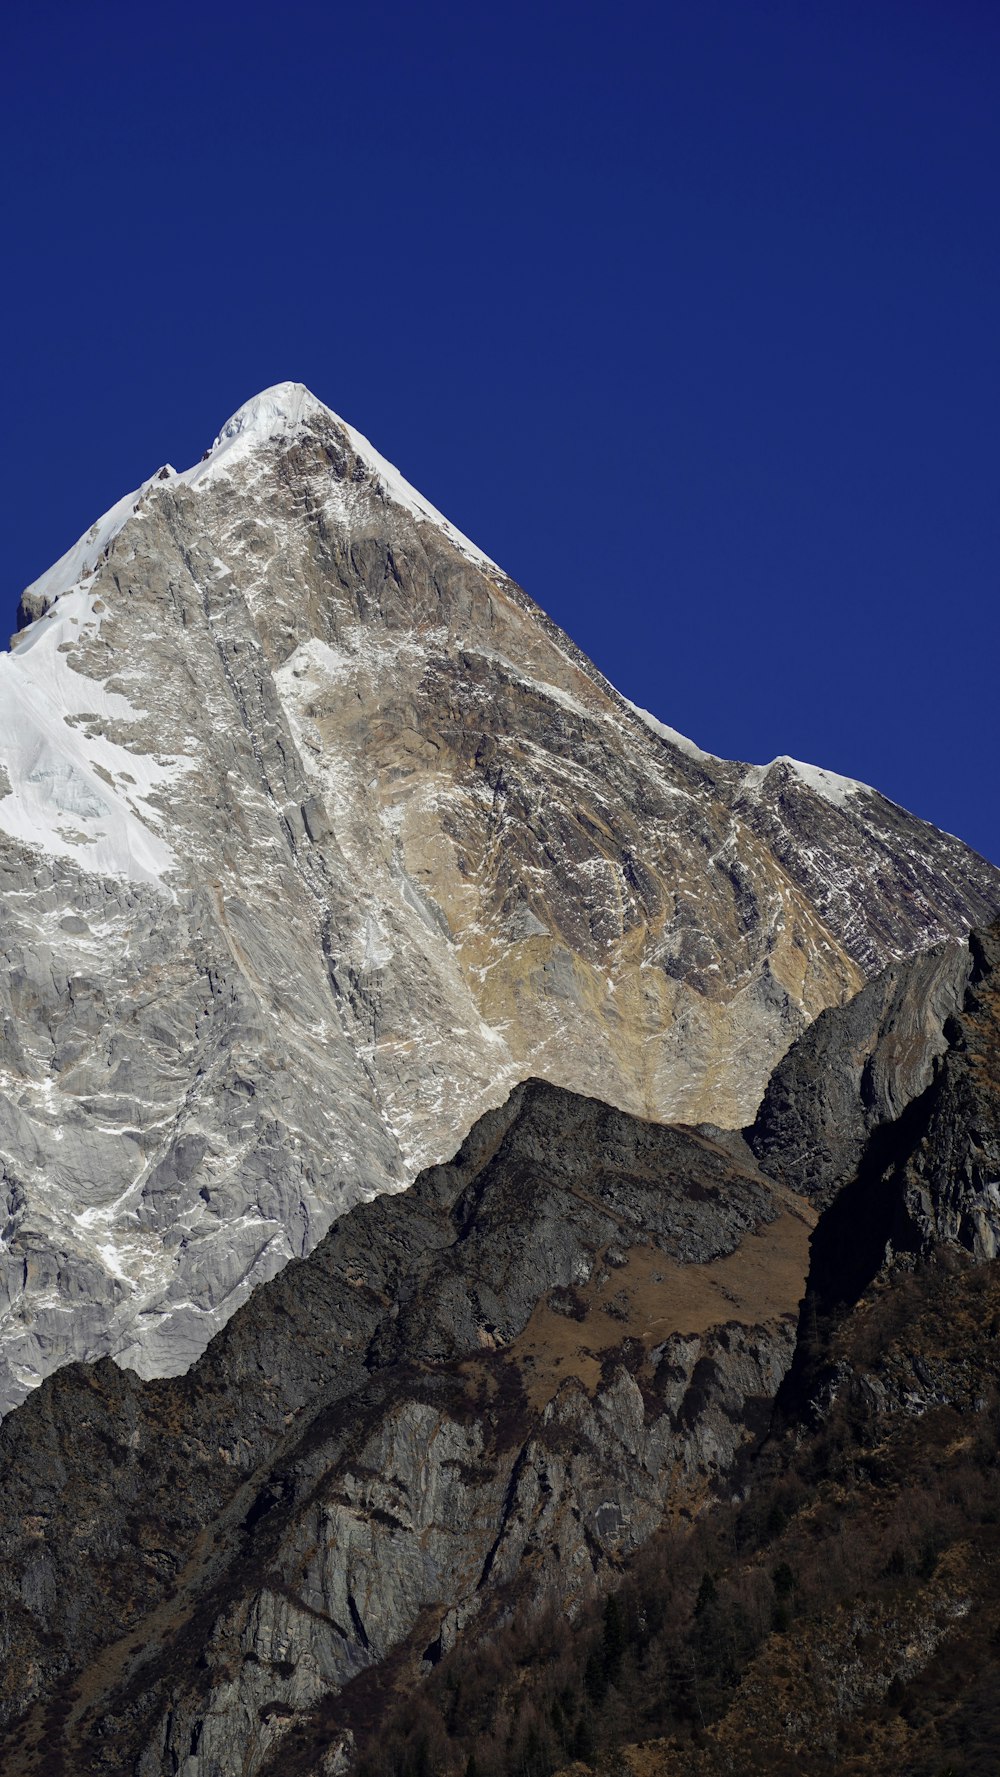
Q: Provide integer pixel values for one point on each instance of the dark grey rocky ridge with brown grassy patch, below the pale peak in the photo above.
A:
(477, 1391)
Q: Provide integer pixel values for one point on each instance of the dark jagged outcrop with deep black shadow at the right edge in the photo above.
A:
(887, 1113)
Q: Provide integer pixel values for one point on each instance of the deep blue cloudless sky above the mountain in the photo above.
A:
(688, 314)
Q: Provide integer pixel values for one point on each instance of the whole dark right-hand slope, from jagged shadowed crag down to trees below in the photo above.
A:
(841, 1611)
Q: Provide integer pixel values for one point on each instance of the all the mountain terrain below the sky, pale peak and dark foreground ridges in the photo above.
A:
(500, 1206)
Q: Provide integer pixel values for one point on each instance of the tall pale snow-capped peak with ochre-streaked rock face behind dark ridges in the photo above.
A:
(315, 840)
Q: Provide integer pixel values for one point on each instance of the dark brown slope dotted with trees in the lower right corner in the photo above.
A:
(841, 1616)
